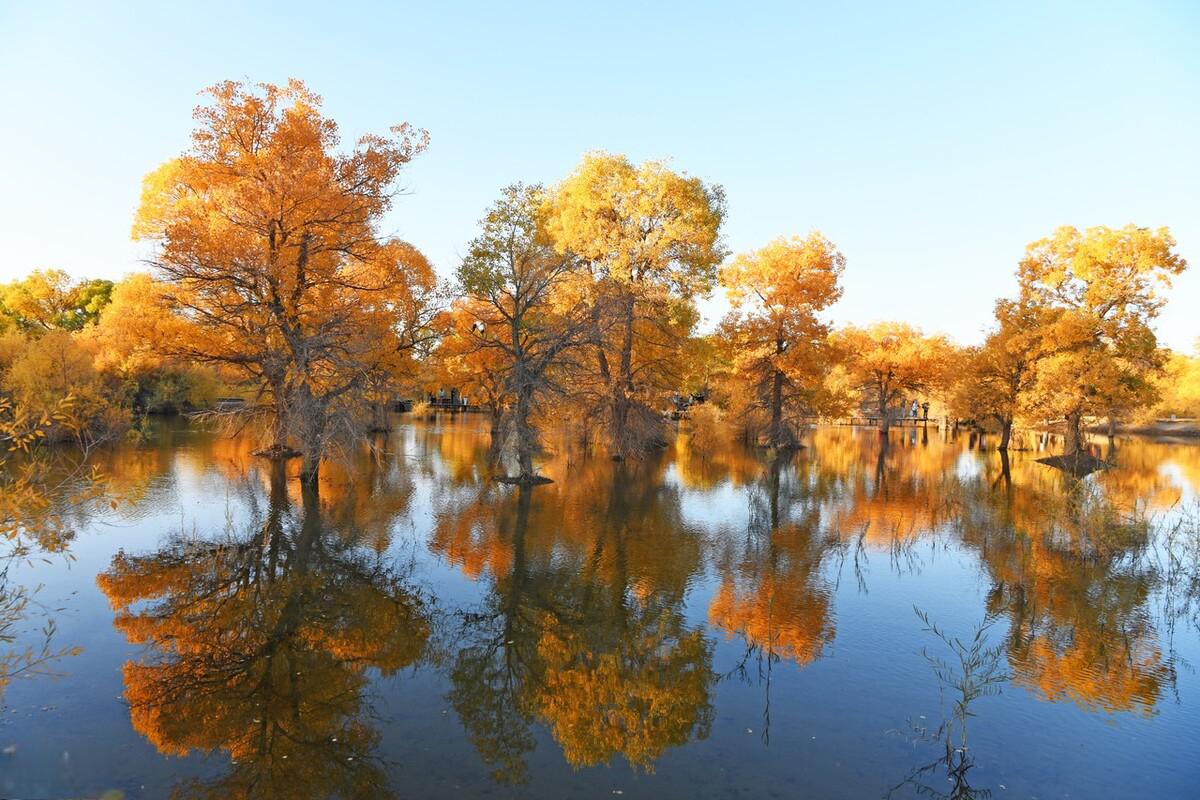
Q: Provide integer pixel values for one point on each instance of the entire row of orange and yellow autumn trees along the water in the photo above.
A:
(575, 304)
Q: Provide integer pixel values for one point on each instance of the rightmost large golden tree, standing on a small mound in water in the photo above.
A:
(1102, 288)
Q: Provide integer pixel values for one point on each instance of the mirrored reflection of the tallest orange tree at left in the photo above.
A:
(260, 646)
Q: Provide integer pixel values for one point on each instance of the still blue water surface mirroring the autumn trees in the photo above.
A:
(697, 625)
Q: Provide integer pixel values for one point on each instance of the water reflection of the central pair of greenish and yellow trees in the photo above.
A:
(575, 633)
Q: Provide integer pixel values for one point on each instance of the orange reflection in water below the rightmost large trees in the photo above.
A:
(1071, 573)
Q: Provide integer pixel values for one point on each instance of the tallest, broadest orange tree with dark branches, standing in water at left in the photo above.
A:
(268, 234)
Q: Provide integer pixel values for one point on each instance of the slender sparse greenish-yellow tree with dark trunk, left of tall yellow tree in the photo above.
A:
(515, 285)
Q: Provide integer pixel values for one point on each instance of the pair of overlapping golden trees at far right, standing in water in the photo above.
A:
(1077, 344)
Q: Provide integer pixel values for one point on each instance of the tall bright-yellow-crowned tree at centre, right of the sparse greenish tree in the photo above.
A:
(650, 242)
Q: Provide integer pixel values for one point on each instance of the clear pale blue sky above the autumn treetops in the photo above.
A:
(931, 141)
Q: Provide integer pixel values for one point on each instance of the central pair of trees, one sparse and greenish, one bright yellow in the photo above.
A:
(584, 294)
